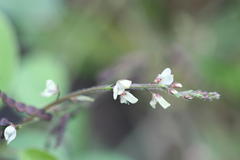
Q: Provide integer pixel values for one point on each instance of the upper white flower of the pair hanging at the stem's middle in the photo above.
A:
(120, 87)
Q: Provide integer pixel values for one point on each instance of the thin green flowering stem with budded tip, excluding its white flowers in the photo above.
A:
(135, 86)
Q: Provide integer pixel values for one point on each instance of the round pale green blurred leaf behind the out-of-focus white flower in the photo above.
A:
(31, 79)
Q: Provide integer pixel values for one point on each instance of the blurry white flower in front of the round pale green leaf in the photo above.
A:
(51, 89)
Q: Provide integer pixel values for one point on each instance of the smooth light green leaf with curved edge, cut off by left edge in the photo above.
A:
(8, 53)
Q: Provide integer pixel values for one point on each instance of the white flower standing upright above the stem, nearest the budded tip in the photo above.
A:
(165, 78)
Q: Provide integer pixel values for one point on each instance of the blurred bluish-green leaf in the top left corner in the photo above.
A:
(31, 20)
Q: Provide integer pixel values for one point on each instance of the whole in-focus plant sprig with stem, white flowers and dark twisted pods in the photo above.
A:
(164, 82)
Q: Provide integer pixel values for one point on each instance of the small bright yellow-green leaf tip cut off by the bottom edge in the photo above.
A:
(35, 154)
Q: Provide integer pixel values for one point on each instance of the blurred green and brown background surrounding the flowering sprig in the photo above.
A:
(81, 43)
